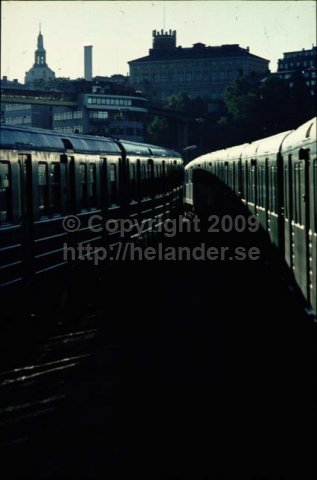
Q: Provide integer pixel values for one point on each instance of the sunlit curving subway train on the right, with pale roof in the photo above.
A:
(276, 179)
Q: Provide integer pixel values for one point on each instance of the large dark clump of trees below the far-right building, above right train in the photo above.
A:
(254, 110)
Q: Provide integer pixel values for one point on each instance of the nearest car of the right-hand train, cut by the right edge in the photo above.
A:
(300, 207)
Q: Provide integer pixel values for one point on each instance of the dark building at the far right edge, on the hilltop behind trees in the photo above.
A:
(302, 63)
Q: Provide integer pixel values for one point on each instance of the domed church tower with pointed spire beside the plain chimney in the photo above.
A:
(40, 73)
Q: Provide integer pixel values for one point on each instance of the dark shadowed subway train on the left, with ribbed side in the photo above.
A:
(52, 185)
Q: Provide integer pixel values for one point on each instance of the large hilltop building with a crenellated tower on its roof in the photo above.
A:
(201, 71)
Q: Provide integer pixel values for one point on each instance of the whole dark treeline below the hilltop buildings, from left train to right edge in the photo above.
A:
(251, 110)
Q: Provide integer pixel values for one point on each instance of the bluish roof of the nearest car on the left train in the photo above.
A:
(22, 138)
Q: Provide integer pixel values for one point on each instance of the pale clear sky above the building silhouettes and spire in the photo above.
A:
(122, 31)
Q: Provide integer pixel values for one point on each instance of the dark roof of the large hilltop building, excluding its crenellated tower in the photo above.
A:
(198, 51)
